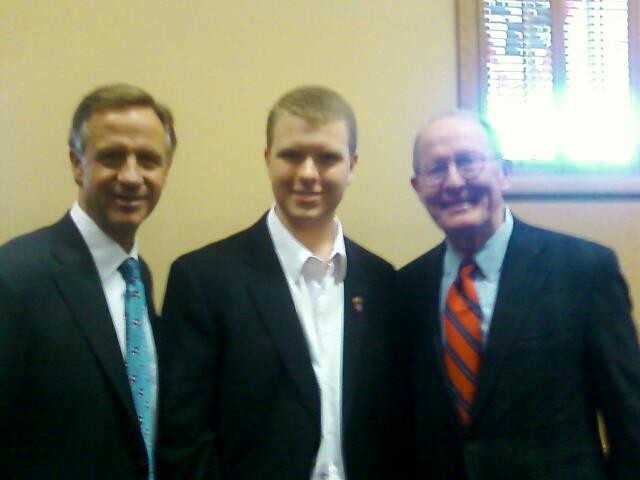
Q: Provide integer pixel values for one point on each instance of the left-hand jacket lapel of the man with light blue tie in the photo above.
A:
(79, 284)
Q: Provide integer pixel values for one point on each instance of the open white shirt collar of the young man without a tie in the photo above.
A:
(293, 255)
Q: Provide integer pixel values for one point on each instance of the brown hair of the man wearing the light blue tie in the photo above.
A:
(114, 96)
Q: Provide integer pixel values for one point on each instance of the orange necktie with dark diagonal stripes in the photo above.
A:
(462, 339)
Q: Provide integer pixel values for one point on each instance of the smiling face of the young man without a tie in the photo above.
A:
(310, 168)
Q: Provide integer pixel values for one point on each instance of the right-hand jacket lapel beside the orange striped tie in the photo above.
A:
(519, 282)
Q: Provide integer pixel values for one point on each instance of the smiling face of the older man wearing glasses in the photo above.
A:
(467, 210)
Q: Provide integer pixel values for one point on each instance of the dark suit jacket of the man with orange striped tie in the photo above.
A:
(561, 347)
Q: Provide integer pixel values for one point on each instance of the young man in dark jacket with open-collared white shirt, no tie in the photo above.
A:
(277, 342)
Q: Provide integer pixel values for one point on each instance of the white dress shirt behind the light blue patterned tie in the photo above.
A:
(107, 256)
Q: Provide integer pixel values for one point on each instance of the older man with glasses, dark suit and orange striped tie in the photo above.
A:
(523, 335)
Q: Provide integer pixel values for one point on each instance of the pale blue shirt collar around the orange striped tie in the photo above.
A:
(490, 256)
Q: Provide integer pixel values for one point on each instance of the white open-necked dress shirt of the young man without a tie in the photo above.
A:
(317, 289)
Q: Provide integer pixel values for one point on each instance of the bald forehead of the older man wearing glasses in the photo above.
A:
(449, 135)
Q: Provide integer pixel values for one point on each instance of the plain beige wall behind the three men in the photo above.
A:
(220, 65)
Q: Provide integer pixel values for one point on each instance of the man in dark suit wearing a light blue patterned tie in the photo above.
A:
(67, 368)
